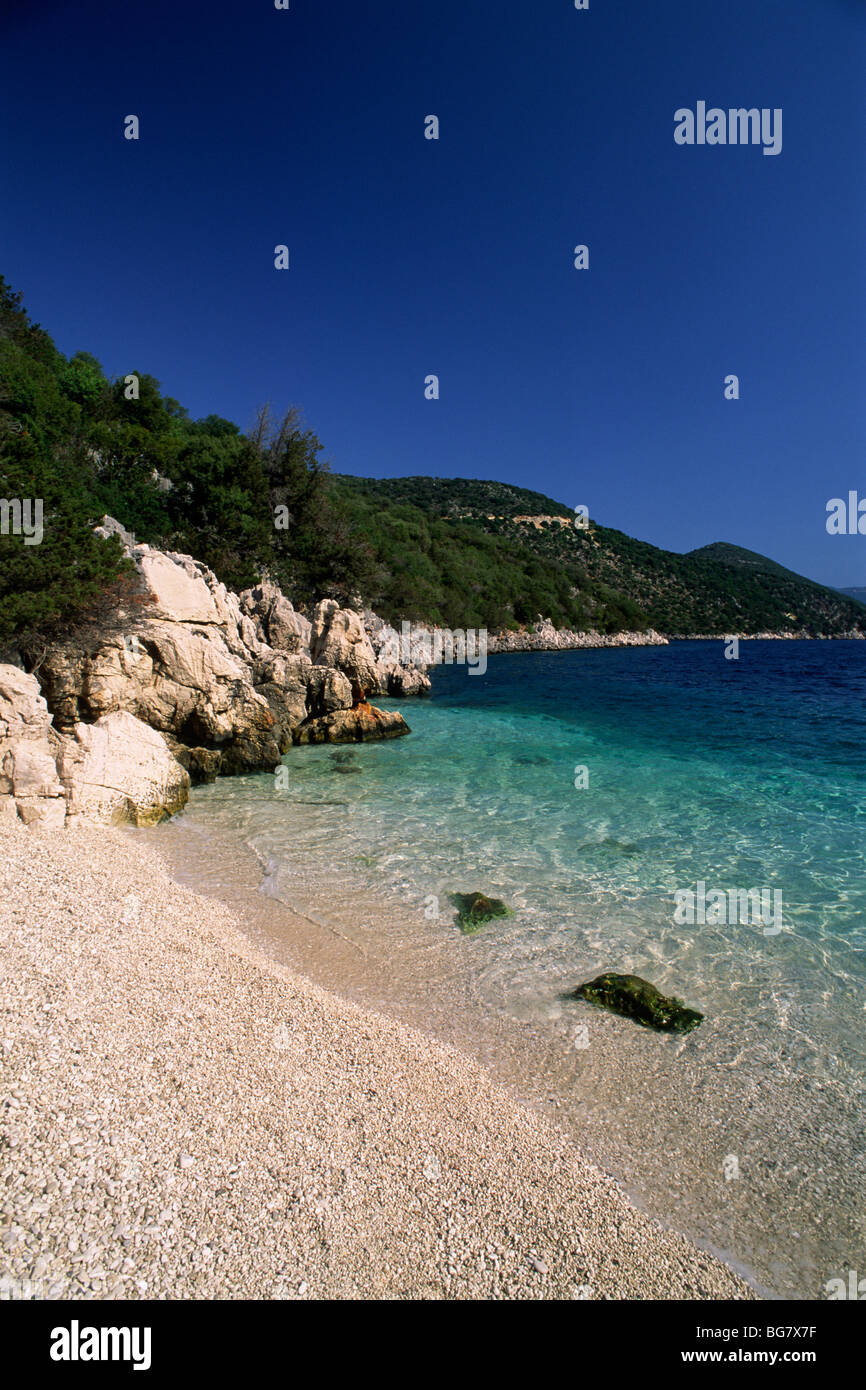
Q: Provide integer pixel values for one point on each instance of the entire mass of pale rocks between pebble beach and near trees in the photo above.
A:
(187, 683)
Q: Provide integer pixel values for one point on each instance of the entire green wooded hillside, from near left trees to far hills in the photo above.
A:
(457, 553)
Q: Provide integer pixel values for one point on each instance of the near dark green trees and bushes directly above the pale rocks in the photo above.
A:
(73, 439)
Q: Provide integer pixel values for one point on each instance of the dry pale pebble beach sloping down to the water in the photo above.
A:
(291, 1145)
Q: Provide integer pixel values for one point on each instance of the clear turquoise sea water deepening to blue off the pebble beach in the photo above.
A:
(739, 775)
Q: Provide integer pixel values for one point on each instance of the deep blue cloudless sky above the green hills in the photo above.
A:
(409, 256)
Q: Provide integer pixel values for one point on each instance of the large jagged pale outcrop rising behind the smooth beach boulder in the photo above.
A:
(229, 680)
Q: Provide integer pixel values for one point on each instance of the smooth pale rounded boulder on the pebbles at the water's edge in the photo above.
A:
(119, 771)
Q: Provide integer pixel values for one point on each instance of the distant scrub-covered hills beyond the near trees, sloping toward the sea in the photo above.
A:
(471, 553)
